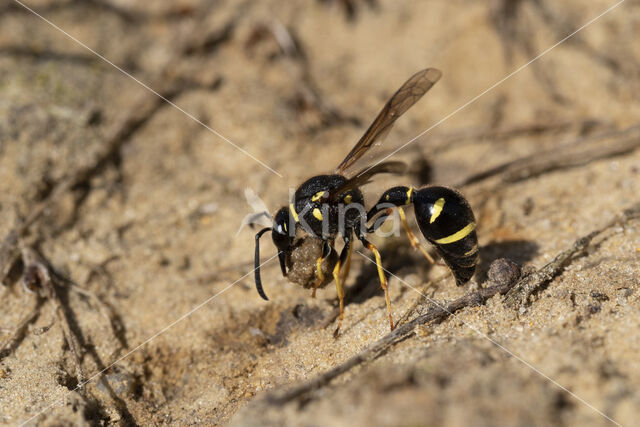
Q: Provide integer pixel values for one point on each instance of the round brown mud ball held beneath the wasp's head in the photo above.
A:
(301, 262)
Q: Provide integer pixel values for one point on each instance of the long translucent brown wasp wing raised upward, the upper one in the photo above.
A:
(408, 94)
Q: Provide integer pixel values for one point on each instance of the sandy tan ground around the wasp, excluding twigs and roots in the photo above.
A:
(152, 232)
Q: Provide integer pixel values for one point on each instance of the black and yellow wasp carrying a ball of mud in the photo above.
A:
(326, 206)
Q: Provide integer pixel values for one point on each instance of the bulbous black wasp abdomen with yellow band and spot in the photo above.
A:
(447, 221)
